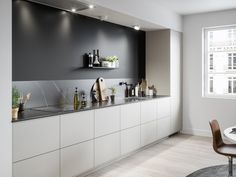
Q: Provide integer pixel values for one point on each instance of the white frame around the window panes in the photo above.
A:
(205, 64)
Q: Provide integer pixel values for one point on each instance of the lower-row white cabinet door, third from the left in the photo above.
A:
(107, 148)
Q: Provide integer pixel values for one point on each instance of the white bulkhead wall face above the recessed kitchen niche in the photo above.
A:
(148, 10)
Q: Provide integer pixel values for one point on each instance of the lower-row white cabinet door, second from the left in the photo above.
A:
(77, 159)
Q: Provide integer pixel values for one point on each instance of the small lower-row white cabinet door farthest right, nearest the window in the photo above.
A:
(163, 127)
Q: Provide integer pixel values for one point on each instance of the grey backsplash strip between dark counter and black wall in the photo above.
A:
(47, 93)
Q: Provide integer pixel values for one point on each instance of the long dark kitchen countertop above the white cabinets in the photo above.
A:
(41, 112)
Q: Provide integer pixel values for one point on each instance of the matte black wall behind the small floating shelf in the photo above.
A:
(49, 44)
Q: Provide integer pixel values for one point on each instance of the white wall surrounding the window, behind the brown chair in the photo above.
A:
(197, 111)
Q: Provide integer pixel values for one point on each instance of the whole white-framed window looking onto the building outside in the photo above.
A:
(219, 77)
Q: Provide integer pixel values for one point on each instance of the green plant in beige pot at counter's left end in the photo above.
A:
(15, 102)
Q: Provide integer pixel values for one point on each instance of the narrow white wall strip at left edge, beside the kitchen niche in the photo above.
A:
(5, 89)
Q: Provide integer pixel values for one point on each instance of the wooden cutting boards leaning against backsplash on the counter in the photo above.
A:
(98, 91)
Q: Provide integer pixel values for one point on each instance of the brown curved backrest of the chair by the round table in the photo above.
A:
(217, 139)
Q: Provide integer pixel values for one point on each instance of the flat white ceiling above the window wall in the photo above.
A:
(185, 7)
